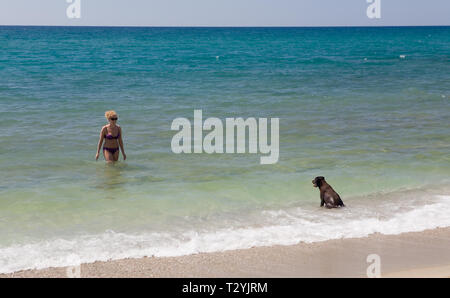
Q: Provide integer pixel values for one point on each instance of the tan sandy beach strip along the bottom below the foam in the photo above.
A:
(415, 254)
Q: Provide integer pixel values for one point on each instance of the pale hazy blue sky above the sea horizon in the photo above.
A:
(225, 13)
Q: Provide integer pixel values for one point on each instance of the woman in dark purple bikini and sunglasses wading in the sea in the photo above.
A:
(112, 135)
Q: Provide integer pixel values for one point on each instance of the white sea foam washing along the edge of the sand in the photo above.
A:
(282, 227)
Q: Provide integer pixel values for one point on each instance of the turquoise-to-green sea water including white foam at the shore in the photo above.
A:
(367, 108)
